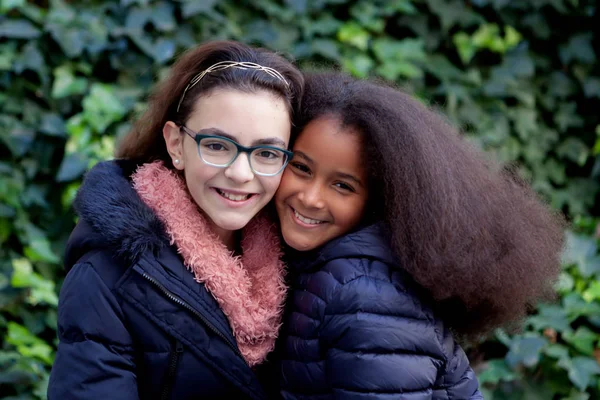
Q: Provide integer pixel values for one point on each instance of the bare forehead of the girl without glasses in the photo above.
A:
(331, 146)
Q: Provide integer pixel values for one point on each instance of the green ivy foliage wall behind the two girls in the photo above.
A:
(521, 78)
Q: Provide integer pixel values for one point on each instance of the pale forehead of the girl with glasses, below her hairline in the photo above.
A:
(249, 117)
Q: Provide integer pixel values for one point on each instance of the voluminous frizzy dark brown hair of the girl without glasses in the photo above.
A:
(473, 235)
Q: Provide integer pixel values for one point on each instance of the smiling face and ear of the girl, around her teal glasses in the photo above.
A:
(230, 197)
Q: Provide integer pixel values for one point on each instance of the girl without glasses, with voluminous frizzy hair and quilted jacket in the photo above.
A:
(402, 239)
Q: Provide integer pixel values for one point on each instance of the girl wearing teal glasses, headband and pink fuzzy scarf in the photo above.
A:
(175, 285)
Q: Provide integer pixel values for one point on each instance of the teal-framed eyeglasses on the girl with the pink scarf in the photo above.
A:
(219, 151)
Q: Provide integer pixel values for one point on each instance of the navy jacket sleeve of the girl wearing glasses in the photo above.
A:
(95, 351)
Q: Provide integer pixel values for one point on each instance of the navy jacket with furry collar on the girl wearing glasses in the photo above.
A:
(132, 321)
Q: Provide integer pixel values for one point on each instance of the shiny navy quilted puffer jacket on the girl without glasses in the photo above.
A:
(358, 327)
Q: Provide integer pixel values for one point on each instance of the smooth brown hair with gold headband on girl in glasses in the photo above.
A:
(144, 143)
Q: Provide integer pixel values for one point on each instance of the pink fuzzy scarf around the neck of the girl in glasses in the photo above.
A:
(250, 289)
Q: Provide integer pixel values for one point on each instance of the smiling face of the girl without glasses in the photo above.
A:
(323, 191)
